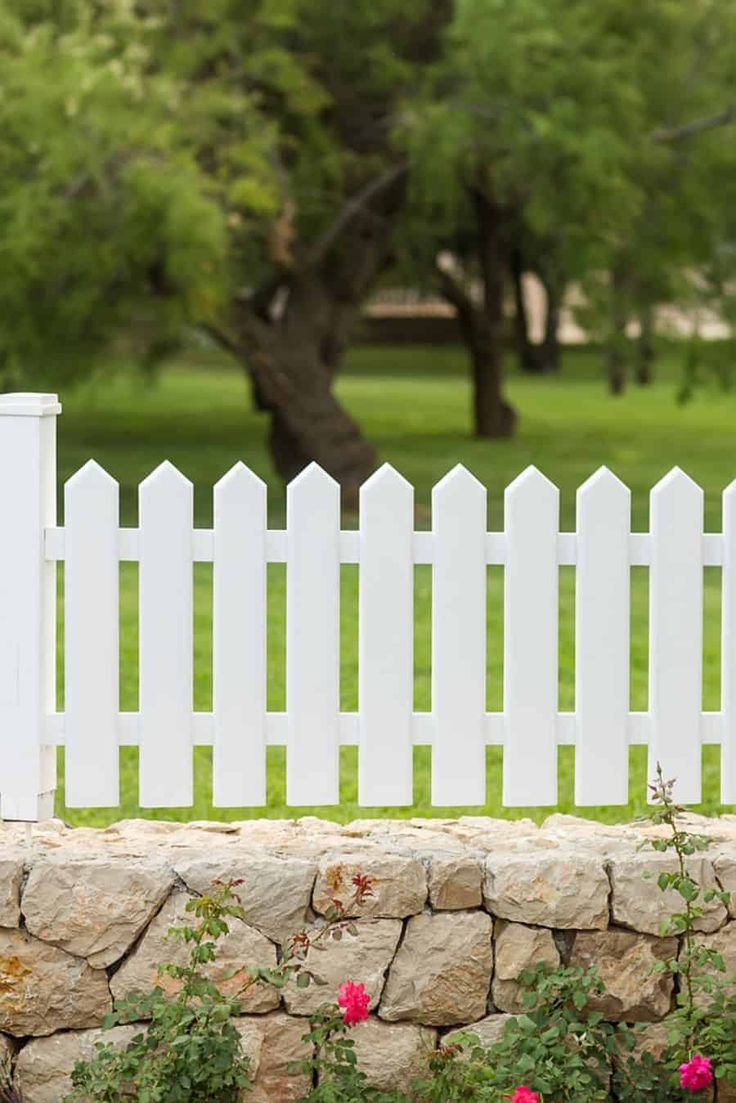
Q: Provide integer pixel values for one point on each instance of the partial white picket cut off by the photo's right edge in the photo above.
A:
(729, 648)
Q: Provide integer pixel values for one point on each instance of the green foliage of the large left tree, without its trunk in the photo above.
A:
(152, 154)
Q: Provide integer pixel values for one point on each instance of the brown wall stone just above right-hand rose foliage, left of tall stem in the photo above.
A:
(634, 993)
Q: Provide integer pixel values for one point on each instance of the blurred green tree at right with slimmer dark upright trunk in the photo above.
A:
(550, 140)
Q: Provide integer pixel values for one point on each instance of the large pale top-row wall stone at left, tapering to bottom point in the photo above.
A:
(94, 908)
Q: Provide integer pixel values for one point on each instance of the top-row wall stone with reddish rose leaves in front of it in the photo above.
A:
(399, 885)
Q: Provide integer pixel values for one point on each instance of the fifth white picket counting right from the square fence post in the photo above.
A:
(387, 640)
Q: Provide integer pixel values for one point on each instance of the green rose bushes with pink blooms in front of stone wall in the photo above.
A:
(559, 1051)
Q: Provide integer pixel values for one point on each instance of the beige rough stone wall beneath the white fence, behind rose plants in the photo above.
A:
(460, 908)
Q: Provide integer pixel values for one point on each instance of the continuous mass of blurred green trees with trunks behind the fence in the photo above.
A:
(241, 168)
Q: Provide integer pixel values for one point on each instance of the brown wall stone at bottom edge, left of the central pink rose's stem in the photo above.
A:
(275, 1042)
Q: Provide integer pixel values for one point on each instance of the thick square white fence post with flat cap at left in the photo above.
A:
(28, 599)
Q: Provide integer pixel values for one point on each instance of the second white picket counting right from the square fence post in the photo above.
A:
(166, 639)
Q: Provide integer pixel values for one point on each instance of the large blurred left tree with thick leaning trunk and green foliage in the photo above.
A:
(225, 165)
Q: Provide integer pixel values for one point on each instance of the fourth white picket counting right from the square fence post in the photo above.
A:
(313, 636)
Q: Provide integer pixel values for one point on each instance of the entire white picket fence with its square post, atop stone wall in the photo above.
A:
(387, 550)
